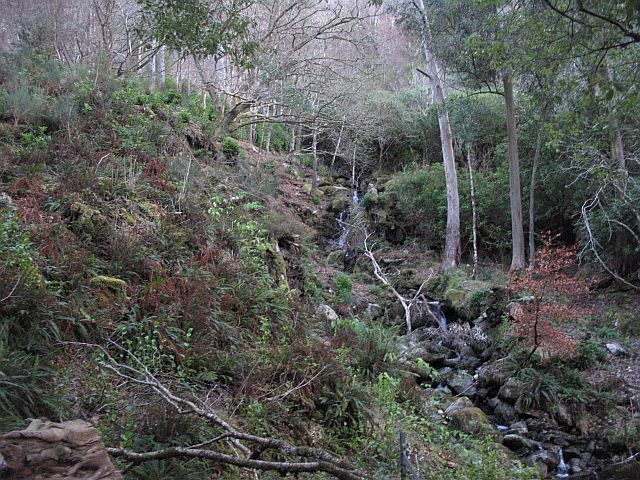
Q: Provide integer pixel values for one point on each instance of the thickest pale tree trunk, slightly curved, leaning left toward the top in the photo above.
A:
(452, 241)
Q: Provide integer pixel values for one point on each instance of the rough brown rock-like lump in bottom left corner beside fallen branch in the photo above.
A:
(68, 450)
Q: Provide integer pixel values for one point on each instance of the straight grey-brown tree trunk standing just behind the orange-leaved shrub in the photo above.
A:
(515, 195)
